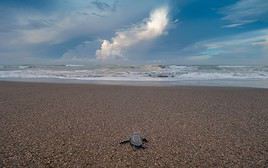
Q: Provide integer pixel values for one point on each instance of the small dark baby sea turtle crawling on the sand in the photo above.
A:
(136, 141)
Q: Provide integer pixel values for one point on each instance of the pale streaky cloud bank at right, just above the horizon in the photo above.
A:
(249, 47)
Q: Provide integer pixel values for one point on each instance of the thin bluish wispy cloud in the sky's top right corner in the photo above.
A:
(244, 12)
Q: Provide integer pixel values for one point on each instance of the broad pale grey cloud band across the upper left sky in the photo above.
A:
(92, 18)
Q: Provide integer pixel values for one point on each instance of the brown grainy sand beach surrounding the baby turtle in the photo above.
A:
(81, 125)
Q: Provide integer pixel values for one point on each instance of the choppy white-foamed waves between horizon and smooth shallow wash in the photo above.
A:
(137, 73)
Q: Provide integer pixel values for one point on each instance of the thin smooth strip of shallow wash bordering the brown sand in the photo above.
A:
(261, 84)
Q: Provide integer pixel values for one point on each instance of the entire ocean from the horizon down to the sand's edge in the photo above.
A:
(204, 75)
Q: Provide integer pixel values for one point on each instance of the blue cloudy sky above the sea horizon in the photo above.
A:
(134, 32)
